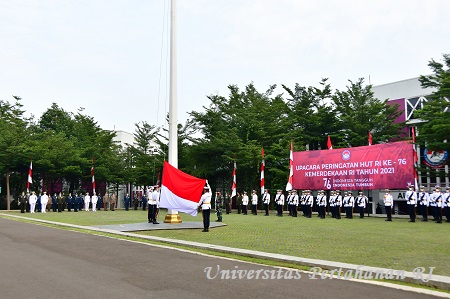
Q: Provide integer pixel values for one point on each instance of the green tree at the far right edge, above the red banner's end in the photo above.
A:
(435, 126)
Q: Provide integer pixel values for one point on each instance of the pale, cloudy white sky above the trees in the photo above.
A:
(111, 57)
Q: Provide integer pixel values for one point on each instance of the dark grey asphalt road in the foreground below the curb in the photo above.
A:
(43, 262)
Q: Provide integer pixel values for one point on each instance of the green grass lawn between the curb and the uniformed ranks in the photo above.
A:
(369, 241)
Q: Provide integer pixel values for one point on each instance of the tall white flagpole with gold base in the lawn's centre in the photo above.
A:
(173, 216)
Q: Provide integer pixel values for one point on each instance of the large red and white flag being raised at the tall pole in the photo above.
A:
(180, 191)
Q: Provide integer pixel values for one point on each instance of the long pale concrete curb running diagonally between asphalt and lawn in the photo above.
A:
(320, 269)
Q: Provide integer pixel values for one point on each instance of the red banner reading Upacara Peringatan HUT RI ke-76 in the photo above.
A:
(378, 166)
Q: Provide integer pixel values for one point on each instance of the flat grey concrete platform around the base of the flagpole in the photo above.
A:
(133, 227)
